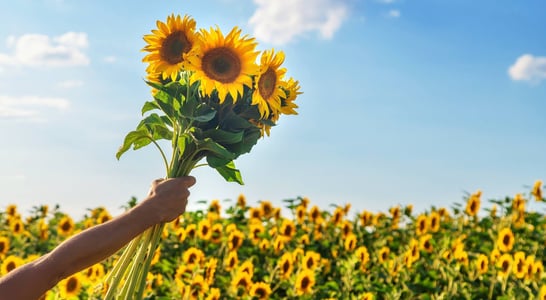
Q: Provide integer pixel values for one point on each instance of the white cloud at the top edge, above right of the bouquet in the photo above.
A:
(278, 22)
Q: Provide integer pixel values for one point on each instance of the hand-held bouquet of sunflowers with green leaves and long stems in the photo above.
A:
(213, 101)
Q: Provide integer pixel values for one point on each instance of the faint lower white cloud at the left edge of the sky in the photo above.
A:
(29, 107)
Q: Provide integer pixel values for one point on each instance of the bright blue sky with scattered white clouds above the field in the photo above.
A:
(404, 101)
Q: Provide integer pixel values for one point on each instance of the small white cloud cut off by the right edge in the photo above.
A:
(528, 68)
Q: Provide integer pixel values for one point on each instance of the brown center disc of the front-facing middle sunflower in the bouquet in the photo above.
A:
(222, 64)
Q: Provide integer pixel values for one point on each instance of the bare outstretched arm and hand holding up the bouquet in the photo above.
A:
(165, 202)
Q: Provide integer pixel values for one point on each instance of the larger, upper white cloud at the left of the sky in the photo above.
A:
(42, 50)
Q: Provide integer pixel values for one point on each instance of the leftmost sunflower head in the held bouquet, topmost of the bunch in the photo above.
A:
(167, 45)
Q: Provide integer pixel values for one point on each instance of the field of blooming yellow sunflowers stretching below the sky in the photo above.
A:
(477, 249)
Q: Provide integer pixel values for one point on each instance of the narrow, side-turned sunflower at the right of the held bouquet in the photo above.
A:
(269, 84)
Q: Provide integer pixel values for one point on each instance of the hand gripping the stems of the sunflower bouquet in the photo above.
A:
(168, 197)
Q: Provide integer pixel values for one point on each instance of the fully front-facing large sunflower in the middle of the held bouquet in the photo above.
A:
(223, 63)
